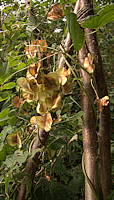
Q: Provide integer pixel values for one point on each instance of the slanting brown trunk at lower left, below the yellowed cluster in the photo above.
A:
(30, 168)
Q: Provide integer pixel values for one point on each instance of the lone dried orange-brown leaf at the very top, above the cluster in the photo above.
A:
(56, 12)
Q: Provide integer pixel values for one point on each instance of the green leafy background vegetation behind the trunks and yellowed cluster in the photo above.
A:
(59, 174)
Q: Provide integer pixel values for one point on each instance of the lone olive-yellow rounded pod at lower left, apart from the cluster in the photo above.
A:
(14, 140)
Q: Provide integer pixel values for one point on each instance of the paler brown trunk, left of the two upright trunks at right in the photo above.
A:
(90, 145)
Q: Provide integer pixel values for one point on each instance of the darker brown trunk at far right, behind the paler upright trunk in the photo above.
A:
(104, 117)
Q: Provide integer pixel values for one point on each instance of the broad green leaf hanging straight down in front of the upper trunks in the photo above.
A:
(76, 32)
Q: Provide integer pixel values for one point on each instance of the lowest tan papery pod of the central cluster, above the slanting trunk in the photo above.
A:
(44, 121)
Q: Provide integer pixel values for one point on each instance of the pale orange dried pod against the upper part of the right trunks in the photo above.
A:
(88, 63)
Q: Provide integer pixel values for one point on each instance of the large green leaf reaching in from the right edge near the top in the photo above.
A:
(104, 16)
